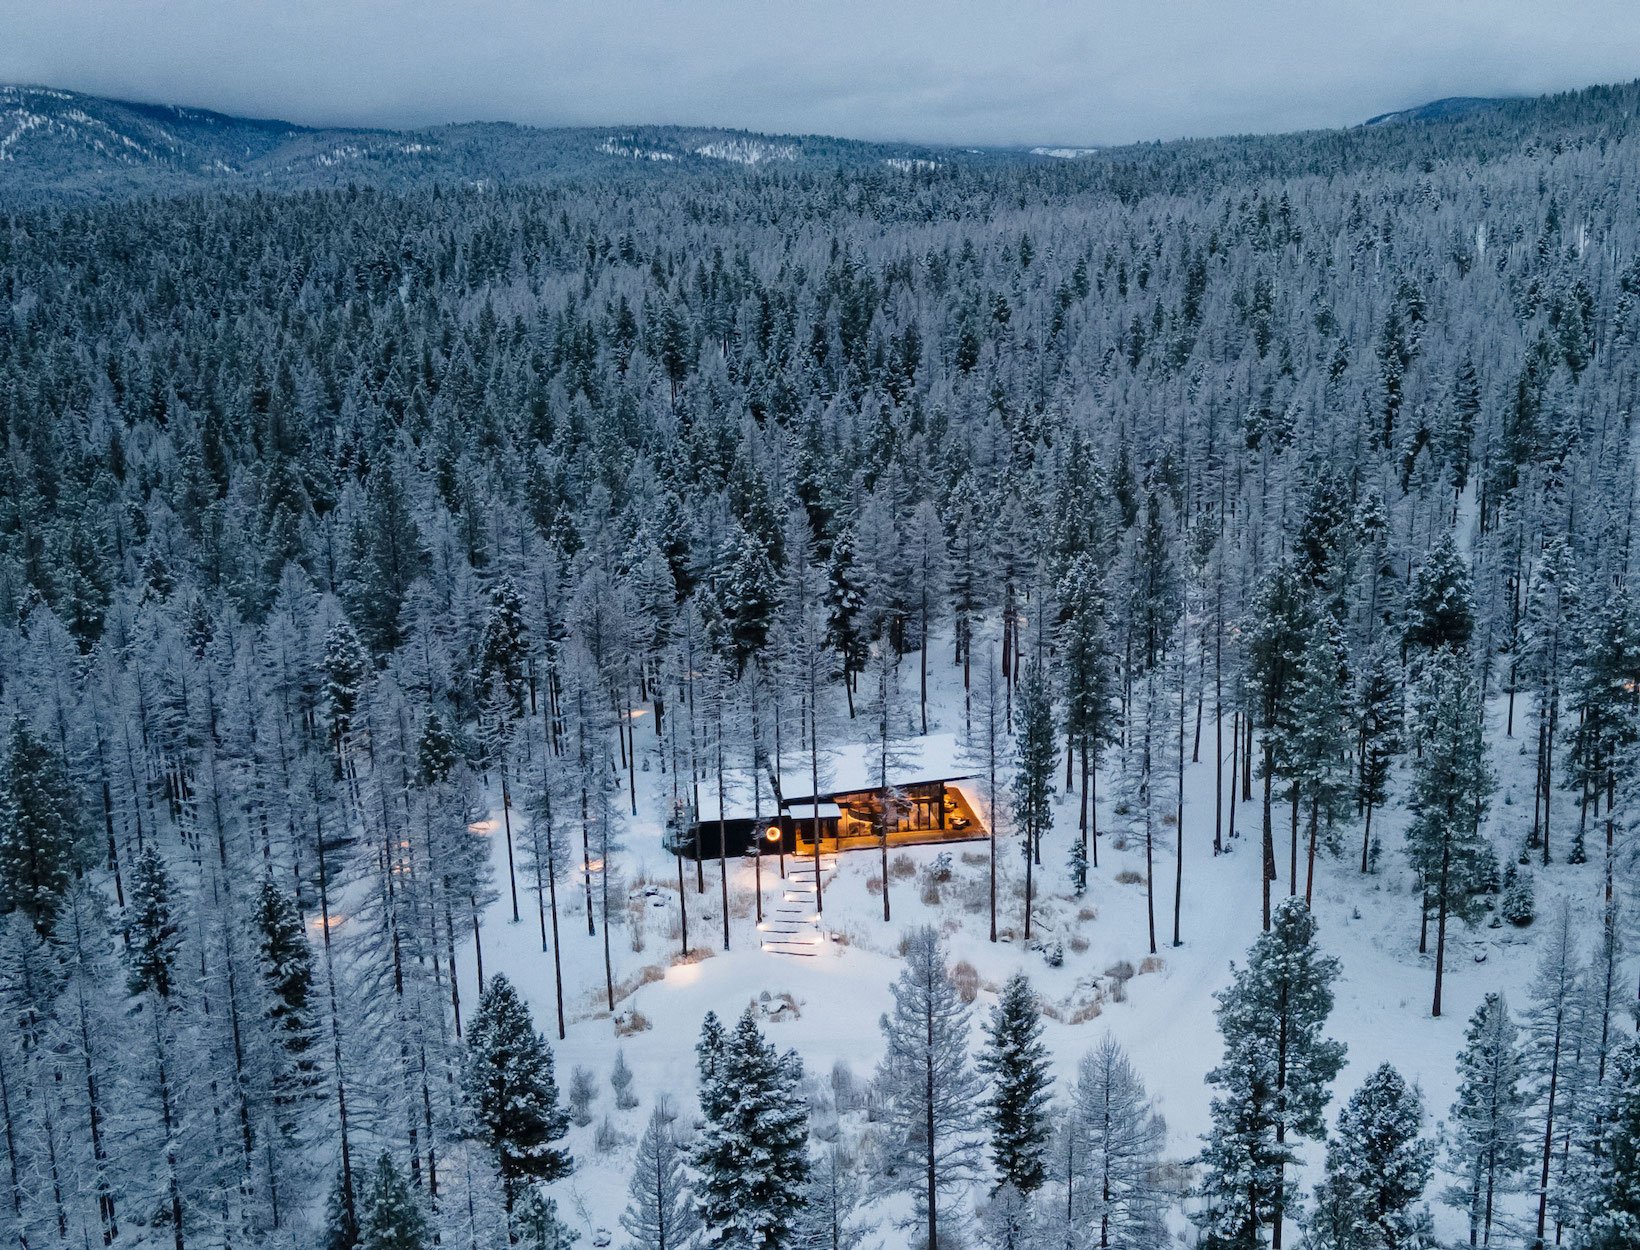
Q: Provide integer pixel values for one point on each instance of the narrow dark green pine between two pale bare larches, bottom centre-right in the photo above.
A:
(1016, 1062)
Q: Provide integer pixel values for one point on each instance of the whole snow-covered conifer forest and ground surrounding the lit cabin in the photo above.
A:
(393, 575)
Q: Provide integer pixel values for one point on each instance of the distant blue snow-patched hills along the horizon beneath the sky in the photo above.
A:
(65, 147)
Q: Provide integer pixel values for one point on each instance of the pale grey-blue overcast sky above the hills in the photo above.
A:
(960, 71)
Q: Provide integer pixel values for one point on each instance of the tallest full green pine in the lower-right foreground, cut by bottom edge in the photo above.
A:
(1278, 1065)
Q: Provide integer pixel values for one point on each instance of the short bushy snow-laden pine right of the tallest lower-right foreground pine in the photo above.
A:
(1378, 1167)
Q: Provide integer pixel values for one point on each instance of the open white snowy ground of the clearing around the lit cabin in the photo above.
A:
(1164, 1016)
